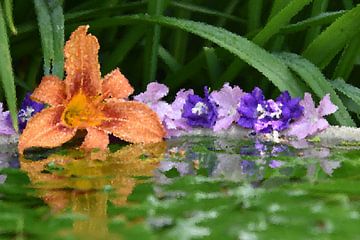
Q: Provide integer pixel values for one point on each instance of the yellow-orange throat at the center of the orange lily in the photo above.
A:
(81, 113)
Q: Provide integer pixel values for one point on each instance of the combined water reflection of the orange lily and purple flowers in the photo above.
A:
(85, 183)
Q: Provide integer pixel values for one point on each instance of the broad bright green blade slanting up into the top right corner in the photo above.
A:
(330, 42)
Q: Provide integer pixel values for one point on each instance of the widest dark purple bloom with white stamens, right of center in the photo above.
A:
(266, 116)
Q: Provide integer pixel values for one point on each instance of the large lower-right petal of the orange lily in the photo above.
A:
(132, 121)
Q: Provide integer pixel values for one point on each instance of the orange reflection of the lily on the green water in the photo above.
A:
(81, 182)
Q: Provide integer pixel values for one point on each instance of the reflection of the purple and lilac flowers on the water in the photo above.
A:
(245, 160)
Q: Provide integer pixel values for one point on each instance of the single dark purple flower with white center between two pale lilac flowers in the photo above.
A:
(200, 112)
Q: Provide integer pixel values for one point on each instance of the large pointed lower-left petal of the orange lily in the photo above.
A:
(45, 130)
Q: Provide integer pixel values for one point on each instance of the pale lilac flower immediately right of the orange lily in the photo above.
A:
(152, 97)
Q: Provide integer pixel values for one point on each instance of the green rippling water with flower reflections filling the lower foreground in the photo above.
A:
(186, 188)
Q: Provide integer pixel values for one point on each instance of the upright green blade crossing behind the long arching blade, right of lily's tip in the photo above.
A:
(155, 8)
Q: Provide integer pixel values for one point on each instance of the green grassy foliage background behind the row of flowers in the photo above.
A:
(294, 45)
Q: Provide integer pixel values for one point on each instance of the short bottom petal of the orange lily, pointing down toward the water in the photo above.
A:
(95, 138)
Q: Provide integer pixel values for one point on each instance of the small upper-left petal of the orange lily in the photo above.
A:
(51, 91)
